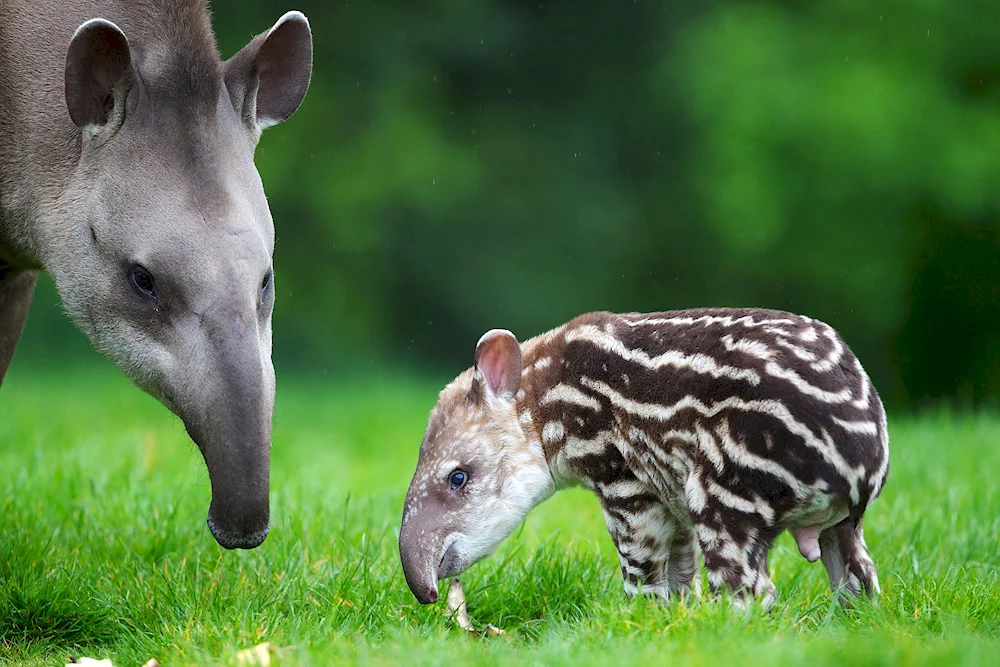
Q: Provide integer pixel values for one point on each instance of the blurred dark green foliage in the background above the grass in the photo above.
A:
(464, 165)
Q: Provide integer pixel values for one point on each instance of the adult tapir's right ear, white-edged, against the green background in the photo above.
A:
(268, 79)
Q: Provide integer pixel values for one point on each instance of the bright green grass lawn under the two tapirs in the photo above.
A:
(104, 550)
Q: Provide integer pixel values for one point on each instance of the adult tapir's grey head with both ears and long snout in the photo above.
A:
(163, 256)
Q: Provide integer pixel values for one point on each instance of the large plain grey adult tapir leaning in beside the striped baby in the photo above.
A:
(127, 172)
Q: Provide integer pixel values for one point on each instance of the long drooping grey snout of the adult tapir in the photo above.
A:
(227, 405)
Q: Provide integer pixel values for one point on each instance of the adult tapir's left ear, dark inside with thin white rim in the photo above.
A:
(98, 63)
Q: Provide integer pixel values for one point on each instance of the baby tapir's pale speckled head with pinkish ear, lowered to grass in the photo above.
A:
(480, 471)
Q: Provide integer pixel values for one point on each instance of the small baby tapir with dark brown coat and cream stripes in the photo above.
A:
(707, 431)
